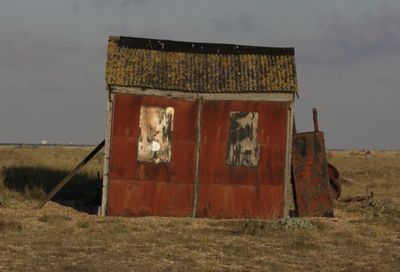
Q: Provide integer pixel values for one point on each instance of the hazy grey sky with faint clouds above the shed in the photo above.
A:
(53, 54)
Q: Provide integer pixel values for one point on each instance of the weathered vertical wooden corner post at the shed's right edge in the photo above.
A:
(288, 163)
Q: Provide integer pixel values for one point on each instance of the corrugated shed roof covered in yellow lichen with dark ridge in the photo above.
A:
(199, 67)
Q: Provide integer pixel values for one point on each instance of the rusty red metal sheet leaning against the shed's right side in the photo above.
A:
(310, 175)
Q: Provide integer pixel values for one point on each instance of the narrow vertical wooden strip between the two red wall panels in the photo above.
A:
(197, 159)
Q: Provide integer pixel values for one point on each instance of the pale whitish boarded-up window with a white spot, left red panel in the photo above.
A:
(155, 134)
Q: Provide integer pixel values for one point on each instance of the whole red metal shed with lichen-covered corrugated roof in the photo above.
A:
(197, 129)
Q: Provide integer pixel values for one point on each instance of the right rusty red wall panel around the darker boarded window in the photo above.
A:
(232, 192)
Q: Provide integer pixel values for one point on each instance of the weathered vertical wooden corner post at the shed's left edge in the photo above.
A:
(107, 153)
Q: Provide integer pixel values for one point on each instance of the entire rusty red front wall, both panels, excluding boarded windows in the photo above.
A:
(137, 188)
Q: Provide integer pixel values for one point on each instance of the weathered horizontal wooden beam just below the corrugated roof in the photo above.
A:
(273, 96)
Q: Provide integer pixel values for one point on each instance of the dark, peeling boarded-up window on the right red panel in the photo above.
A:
(243, 149)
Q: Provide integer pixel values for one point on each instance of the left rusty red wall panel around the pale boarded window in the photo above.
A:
(140, 188)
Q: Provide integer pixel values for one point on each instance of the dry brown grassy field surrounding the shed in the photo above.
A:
(66, 235)
